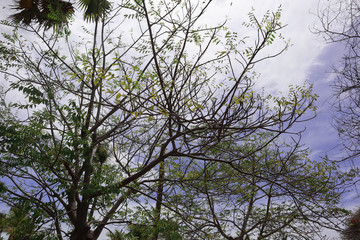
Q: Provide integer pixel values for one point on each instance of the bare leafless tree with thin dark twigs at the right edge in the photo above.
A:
(340, 24)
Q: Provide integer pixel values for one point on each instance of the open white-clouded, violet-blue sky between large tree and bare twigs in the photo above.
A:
(308, 59)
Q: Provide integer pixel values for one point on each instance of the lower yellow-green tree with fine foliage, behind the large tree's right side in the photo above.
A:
(276, 192)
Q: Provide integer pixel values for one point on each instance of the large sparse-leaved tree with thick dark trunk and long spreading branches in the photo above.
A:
(107, 117)
